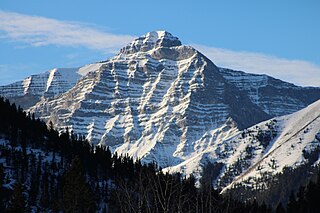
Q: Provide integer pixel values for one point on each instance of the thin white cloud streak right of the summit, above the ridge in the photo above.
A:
(295, 71)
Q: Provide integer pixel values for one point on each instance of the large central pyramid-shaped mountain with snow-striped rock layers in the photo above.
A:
(155, 100)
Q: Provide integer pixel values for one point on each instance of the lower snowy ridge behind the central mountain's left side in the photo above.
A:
(29, 91)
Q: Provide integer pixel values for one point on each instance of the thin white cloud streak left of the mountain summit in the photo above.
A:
(41, 31)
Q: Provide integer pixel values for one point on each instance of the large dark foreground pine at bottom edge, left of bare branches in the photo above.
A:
(77, 196)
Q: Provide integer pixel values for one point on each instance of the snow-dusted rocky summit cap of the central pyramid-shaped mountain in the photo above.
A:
(151, 40)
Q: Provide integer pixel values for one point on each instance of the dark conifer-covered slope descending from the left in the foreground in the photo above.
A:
(44, 171)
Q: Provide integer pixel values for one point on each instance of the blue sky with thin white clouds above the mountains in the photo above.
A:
(279, 38)
